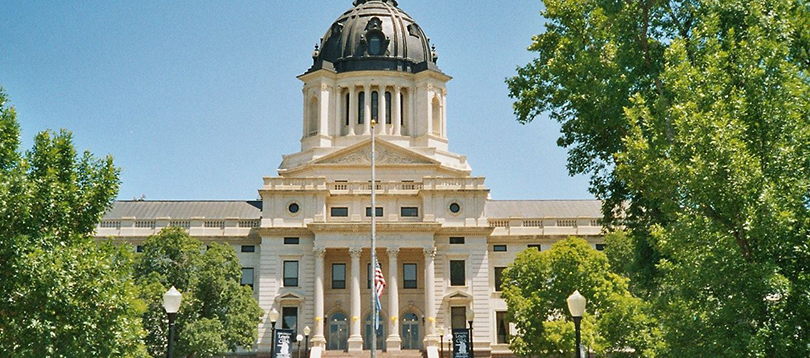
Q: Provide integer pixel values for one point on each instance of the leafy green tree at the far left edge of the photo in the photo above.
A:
(61, 293)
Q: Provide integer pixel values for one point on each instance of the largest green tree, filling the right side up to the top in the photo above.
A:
(696, 115)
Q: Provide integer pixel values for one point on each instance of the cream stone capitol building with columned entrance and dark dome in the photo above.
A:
(442, 242)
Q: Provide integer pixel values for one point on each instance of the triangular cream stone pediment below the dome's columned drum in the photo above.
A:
(385, 154)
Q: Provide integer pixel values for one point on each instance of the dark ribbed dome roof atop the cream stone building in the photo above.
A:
(374, 35)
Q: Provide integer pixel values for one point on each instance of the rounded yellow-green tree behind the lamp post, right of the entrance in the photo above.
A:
(537, 285)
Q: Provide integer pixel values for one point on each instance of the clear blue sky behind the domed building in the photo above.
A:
(199, 99)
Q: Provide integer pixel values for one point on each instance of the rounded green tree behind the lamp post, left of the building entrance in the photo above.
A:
(217, 313)
